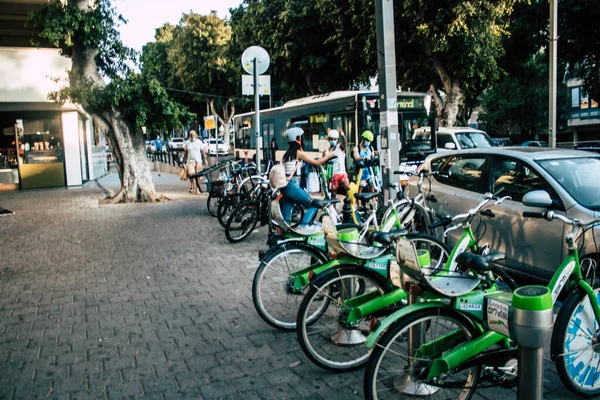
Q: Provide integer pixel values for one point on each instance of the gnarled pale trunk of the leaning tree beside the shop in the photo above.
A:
(129, 150)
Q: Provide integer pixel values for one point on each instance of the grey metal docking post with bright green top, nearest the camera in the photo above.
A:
(530, 324)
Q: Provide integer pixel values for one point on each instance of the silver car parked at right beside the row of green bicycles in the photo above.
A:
(534, 247)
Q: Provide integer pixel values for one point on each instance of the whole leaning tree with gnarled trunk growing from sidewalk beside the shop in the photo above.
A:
(87, 33)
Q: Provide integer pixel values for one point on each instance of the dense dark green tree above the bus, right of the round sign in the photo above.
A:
(303, 44)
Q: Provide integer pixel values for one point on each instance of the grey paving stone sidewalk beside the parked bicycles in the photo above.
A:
(145, 301)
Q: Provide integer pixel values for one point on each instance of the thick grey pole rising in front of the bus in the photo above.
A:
(388, 96)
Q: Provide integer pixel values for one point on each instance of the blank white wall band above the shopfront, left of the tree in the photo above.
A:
(26, 73)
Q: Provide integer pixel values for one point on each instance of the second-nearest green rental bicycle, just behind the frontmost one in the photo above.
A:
(343, 316)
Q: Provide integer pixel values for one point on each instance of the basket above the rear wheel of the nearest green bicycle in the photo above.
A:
(415, 265)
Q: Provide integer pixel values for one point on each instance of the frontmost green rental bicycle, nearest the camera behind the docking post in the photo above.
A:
(443, 349)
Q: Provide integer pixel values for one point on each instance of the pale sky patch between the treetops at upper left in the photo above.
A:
(144, 16)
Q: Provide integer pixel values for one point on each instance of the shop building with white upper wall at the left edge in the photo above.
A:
(42, 143)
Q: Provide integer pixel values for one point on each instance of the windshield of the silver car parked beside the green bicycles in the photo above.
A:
(579, 177)
